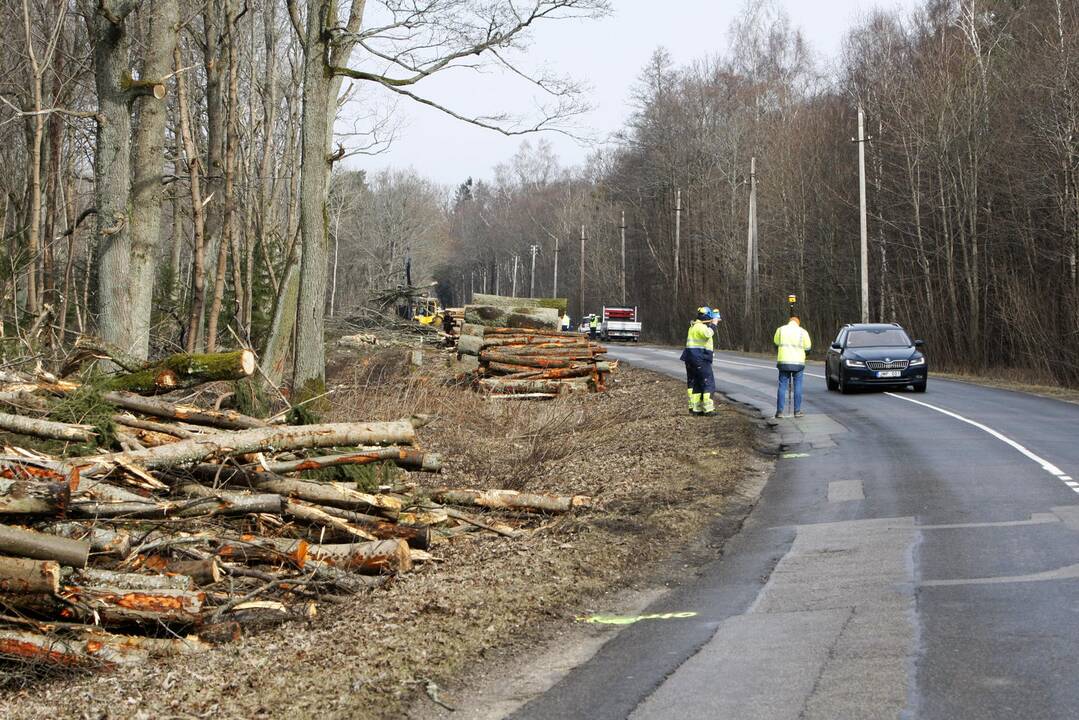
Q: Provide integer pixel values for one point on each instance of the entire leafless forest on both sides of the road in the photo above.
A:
(174, 180)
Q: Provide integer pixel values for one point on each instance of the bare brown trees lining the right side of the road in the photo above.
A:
(973, 181)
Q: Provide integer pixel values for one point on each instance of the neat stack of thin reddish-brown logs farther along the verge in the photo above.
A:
(531, 364)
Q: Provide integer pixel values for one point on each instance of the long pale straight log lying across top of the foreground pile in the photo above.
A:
(251, 441)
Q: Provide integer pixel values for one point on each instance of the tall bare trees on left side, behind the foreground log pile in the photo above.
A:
(169, 167)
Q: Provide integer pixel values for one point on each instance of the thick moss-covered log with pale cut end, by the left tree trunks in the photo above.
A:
(184, 371)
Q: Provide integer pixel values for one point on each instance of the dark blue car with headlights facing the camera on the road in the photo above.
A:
(876, 356)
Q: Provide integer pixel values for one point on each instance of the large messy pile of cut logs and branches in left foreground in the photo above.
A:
(193, 526)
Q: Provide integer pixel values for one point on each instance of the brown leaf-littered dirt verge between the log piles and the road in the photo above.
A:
(660, 479)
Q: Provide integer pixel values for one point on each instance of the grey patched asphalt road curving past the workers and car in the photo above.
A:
(913, 556)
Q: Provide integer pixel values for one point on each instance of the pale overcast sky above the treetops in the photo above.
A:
(607, 55)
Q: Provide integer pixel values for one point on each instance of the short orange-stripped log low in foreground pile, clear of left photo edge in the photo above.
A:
(124, 606)
